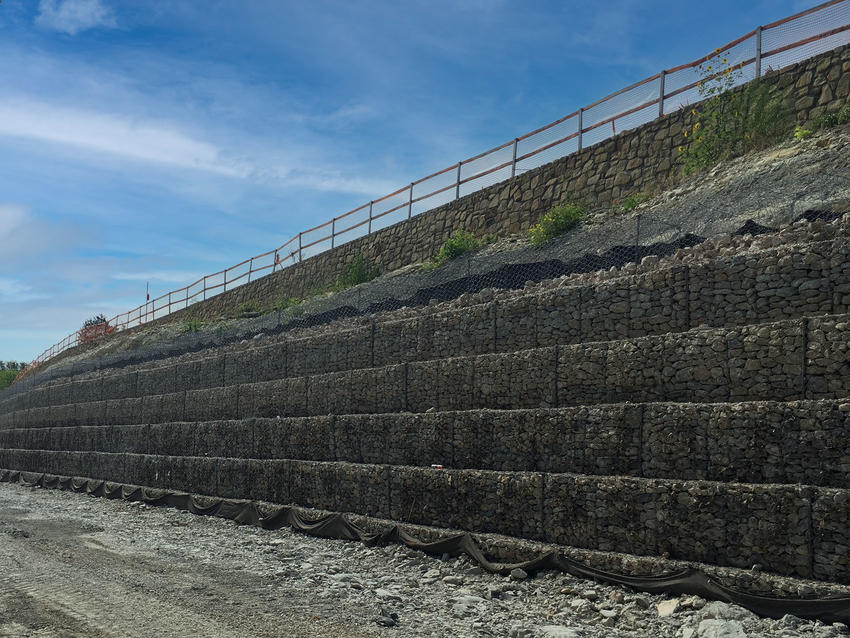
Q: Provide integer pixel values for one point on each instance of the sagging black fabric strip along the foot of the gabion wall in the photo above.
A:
(686, 581)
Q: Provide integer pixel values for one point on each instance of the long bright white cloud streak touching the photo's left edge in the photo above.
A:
(106, 133)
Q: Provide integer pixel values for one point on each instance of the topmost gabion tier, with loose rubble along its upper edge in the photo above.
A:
(783, 282)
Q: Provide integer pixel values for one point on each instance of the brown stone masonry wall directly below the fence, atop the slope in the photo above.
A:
(633, 161)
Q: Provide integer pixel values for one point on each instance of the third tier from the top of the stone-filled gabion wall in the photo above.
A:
(753, 442)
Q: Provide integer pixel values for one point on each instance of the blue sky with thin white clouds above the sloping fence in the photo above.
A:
(162, 140)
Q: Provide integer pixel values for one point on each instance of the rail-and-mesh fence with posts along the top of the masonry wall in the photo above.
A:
(773, 46)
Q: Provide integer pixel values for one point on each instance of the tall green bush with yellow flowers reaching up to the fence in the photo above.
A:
(729, 122)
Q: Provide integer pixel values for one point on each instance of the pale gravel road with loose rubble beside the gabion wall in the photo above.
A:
(74, 566)
